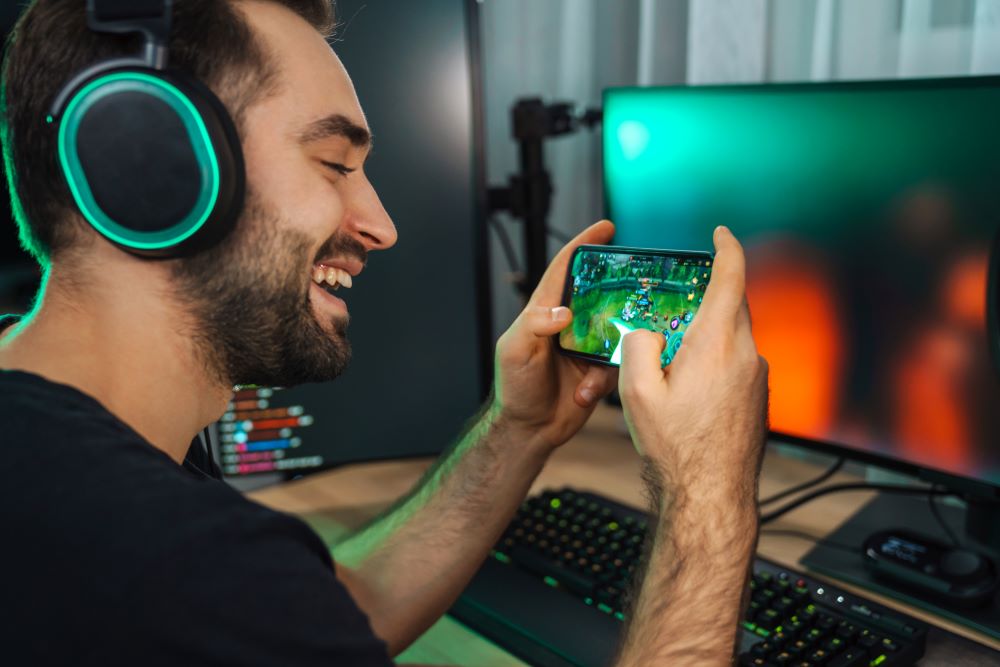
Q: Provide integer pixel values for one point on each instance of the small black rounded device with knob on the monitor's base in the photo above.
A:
(947, 573)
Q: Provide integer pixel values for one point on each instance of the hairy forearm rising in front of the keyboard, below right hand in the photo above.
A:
(691, 599)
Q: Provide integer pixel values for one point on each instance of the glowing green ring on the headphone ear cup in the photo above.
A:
(201, 142)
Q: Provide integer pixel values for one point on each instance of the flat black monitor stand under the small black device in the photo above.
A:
(896, 512)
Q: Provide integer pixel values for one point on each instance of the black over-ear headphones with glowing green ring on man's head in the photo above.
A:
(150, 154)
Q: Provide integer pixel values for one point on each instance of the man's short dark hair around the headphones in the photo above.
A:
(51, 42)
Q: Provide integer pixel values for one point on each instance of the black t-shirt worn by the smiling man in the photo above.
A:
(112, 554)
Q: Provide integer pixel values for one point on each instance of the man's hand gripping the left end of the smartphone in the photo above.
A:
(546, 395)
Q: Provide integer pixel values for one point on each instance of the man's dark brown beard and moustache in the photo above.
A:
(249, 297)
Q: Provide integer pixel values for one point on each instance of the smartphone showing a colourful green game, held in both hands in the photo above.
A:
(613, 290)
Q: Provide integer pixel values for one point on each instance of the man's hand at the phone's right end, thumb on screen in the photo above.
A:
(702, 421)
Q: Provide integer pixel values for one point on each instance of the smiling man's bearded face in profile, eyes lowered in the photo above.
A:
(267, 299)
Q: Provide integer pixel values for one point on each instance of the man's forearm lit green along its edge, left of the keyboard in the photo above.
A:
(406, 568)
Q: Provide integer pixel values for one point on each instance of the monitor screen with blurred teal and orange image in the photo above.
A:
(868, 212)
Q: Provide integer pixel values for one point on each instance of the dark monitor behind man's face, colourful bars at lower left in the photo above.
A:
(419, 327)
